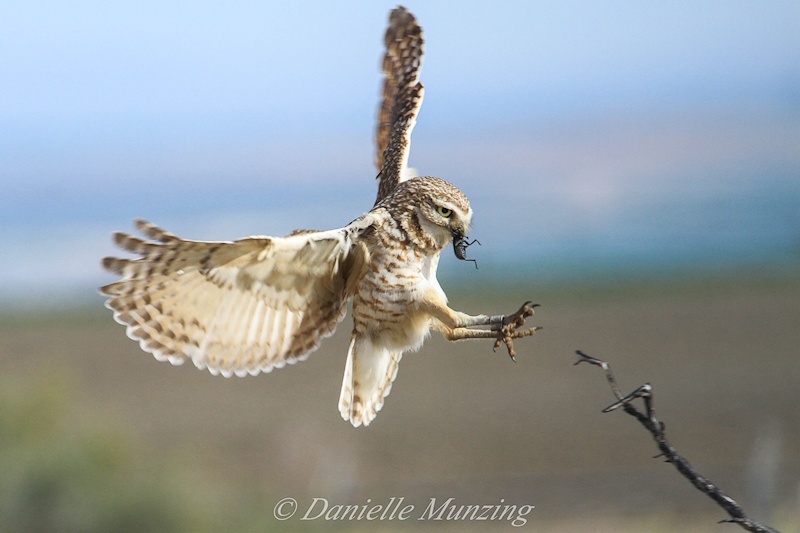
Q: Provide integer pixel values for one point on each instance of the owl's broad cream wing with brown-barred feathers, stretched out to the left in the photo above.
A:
(239, 307)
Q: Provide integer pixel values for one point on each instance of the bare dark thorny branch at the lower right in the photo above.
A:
(657, 429)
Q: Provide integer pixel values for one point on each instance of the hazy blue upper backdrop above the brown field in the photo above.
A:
(634, 129)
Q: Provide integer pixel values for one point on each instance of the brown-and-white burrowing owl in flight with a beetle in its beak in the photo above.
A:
(255, 304)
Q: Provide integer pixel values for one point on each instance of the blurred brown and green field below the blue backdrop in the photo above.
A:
(97, 435)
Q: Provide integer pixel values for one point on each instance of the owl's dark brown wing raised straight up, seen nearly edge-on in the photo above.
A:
(402, 98)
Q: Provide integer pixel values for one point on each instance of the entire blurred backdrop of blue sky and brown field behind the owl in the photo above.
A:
(635, 168)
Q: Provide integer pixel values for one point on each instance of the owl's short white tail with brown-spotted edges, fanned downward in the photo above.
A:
(368, 376)
